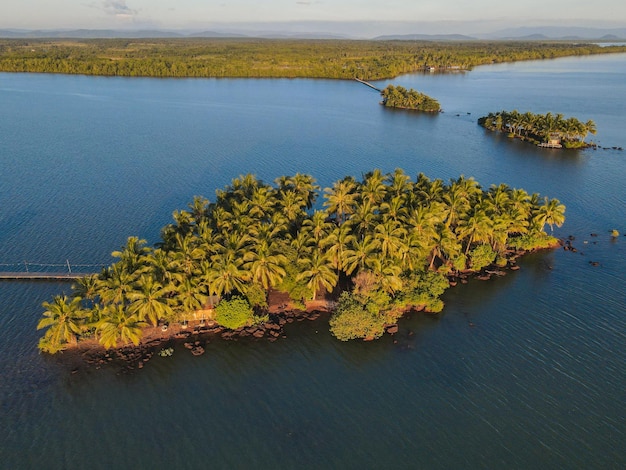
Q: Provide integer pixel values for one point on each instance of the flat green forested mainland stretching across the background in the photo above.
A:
(343, 59)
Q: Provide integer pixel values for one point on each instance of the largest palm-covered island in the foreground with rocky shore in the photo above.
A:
(262, 255)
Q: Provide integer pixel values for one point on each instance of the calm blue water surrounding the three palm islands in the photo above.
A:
(538, 382)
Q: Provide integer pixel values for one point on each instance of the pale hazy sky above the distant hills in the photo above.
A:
(365, 17)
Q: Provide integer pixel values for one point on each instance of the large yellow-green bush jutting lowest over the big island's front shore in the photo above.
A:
(352, 321)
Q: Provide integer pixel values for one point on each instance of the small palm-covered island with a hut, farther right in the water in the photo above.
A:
(545, 130)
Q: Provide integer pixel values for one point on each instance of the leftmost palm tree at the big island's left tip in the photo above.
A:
(64, 319)
